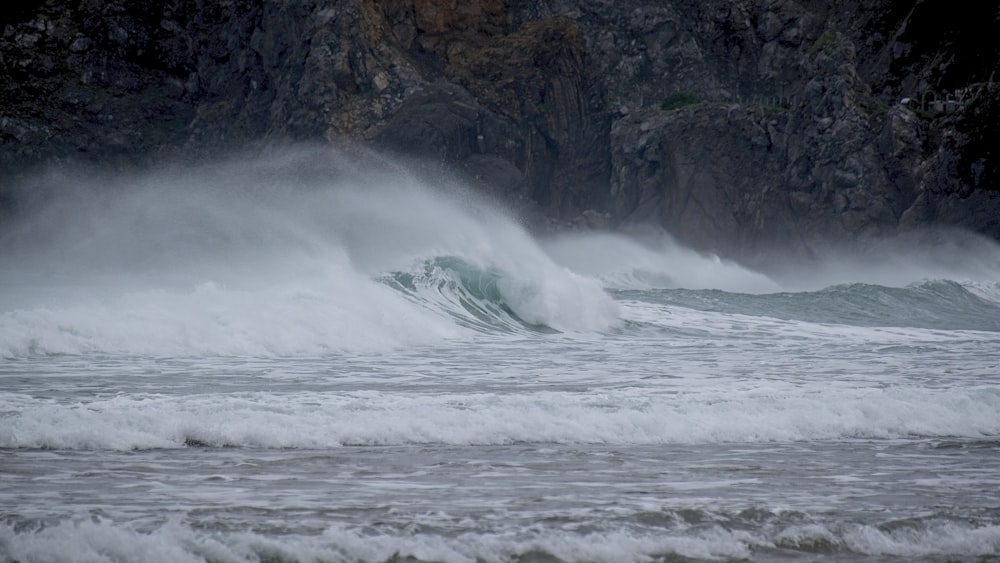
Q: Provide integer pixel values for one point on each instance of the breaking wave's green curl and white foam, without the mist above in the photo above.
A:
(335, 311)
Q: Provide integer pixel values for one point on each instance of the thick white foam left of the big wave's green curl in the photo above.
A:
(347, 313)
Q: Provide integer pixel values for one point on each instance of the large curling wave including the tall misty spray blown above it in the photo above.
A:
(252, 259)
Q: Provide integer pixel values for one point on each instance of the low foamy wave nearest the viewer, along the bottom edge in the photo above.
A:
(689, 534)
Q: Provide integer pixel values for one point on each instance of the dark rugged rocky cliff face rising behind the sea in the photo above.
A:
(737, 125)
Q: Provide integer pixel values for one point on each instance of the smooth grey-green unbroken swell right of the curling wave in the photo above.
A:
(930, 304)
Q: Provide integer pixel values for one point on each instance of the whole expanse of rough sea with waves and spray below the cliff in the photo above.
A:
(273, 361)
